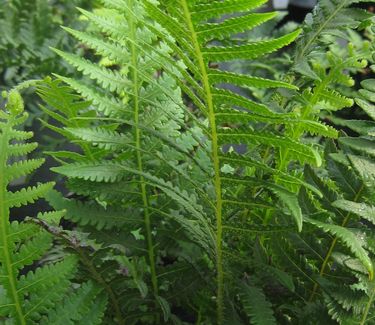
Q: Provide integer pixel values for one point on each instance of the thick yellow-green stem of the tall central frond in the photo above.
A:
(216, 162)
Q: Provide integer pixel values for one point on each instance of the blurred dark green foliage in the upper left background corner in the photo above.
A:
(28, 29)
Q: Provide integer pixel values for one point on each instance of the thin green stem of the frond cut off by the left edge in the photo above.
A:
(4, 219)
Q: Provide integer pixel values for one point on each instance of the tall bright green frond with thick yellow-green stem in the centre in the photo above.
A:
(187, 23)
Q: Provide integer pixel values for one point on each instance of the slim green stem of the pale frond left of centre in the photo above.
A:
(138, 135)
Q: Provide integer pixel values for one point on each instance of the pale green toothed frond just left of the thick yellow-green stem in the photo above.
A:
(130, 143)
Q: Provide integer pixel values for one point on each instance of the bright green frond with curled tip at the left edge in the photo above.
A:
(31, 293)
